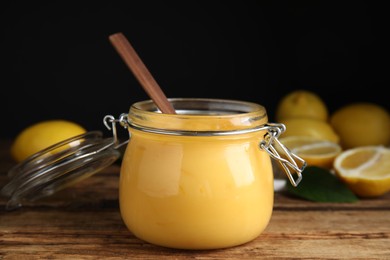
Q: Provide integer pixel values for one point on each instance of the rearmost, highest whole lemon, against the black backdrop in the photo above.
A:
(301, 103)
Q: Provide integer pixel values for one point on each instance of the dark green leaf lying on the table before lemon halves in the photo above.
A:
(320, 185)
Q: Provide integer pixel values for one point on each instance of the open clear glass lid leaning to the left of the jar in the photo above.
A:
(59, 166)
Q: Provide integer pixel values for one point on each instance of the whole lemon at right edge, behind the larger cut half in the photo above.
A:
(361, 124)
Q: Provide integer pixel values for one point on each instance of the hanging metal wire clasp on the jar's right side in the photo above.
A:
(290, 160)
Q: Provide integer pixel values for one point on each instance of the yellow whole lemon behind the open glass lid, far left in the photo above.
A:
(42, 135)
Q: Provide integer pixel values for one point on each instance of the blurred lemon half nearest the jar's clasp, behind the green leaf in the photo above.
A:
(316, 152)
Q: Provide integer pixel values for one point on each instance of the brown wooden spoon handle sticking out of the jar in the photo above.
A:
(135, 64)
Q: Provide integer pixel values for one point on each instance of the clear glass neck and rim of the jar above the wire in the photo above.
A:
(199, 115)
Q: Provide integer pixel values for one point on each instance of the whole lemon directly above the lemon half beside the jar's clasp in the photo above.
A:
(309, 127)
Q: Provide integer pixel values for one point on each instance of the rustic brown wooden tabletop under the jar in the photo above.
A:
(83, 222)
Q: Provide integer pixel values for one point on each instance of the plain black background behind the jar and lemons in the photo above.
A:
(56, 60)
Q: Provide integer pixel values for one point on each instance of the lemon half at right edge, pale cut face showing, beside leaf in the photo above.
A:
(366, 170)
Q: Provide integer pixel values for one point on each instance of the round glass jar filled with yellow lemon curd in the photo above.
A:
(196, 179)
